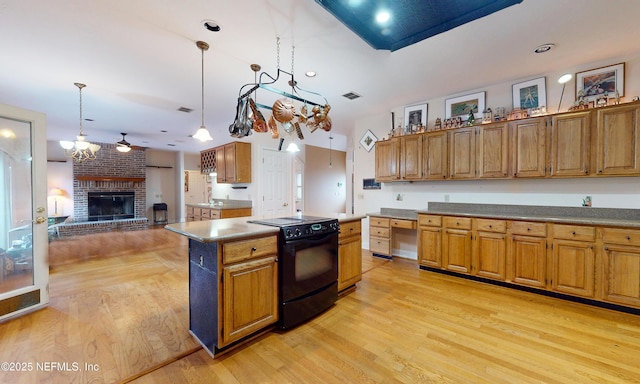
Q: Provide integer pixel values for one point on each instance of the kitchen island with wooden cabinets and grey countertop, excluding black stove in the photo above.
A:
(233, 276)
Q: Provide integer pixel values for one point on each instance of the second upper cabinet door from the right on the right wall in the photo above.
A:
(570, 144)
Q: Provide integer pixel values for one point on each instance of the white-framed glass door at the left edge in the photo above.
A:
(24, 272)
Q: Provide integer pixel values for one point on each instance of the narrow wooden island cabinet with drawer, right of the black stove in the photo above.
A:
(349, 254)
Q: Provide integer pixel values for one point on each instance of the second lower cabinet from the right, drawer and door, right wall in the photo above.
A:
(573, 261)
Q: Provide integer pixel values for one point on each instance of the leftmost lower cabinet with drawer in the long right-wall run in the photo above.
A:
(430, 240)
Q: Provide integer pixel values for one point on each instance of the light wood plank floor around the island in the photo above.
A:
(129, 315)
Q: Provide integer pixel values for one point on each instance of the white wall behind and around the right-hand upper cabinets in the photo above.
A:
(614, 192)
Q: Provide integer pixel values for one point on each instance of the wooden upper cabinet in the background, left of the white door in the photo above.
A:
(233, 162)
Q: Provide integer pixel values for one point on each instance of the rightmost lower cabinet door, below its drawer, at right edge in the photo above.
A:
(622, 274)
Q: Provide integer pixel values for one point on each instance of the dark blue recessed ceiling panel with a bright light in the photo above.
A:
(410, 21)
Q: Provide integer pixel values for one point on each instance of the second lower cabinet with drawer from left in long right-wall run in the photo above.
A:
(456, 244)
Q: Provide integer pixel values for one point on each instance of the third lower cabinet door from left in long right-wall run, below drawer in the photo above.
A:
(489, 256)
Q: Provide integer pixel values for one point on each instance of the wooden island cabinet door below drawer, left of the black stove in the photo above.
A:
(250, 298)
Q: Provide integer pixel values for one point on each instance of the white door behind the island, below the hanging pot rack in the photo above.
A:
(276, 183)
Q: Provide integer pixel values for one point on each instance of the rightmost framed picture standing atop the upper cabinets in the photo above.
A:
(595, 82)
